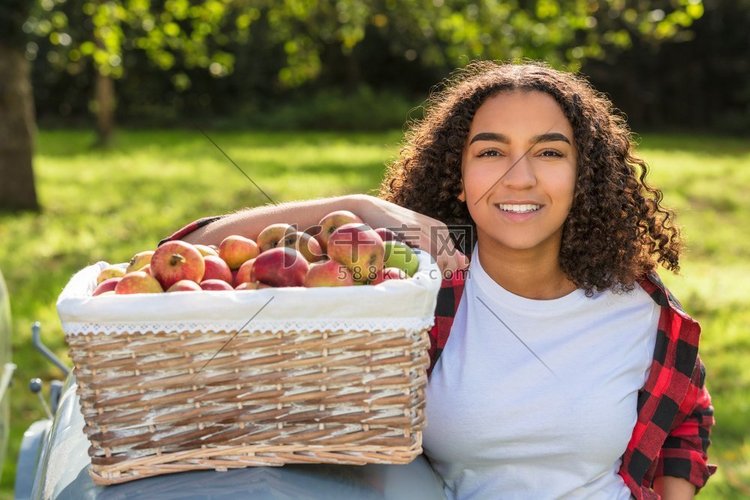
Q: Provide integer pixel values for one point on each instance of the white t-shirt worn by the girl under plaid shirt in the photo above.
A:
(537, 398)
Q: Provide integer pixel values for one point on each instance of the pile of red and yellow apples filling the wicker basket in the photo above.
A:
(340, 251)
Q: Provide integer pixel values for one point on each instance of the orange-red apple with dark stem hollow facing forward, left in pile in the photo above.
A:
(177, 260)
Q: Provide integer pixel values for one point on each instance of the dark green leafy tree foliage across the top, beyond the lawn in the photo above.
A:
(666, 63)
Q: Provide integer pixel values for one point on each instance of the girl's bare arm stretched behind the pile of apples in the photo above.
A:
(419, 230)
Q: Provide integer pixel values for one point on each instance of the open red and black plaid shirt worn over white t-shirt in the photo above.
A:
(675, 414)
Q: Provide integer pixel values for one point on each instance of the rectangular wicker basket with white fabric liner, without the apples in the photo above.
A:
(219, 380)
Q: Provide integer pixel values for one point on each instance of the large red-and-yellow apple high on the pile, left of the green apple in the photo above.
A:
(359, 248)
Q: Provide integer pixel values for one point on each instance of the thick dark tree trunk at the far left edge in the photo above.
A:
(17, 129)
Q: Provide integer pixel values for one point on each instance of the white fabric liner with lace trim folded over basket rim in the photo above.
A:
(394, 304)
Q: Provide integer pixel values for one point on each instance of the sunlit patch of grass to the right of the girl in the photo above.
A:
(706, 180)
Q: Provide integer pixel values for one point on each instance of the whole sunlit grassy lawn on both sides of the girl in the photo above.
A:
(108, 205)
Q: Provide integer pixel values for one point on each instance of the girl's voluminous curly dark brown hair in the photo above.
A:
(617, 230)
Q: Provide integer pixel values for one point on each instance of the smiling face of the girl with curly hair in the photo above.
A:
(519, 172)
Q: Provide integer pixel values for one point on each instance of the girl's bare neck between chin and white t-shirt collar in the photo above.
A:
(527, 274)
